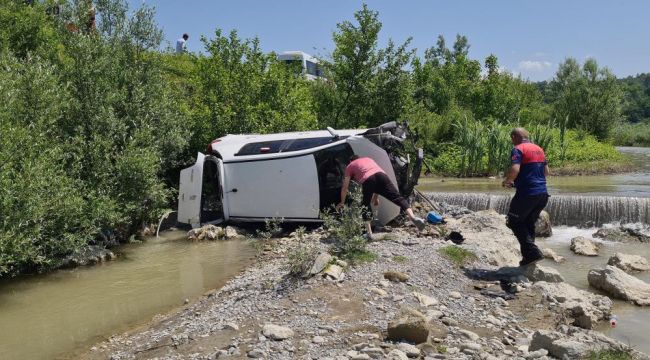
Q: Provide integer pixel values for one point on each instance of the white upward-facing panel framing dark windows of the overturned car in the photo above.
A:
(230, 145)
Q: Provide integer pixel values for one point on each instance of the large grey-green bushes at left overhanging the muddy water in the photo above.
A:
(88, 125)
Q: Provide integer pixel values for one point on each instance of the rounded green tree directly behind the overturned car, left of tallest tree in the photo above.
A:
(240, 89)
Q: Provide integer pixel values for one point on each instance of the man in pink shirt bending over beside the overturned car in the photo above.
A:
(374, 182)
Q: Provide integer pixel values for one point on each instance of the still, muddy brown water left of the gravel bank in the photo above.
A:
(54, 315)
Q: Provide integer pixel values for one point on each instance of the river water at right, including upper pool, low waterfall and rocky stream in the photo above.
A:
(584, 201)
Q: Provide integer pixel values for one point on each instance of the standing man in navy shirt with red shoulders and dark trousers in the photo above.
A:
(528, 175)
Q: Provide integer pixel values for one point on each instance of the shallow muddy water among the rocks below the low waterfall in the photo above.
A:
(633, 321)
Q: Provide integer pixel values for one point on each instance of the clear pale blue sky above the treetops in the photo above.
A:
(528, 37)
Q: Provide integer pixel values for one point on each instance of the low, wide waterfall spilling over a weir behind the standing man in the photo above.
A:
(572, 210)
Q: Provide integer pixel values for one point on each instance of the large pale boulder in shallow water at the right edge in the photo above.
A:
(620, 285)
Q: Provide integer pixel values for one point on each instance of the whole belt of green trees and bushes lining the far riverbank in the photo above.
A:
(96, 120)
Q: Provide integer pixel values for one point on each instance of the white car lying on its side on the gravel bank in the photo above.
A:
(294, 176)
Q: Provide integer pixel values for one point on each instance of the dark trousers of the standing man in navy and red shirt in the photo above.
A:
(522, 215)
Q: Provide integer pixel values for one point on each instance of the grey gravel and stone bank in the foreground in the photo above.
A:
(412, 301)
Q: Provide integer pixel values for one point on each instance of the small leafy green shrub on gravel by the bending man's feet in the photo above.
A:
(346, 229)
